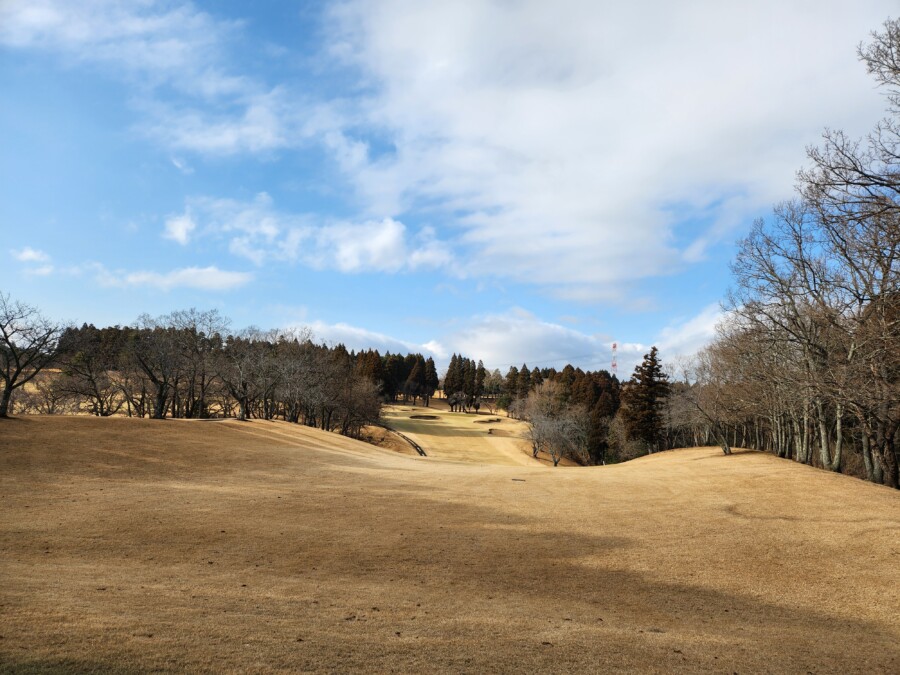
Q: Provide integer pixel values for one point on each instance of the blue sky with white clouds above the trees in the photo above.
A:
(520, 182)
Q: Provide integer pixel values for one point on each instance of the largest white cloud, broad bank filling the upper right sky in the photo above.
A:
(577, 138)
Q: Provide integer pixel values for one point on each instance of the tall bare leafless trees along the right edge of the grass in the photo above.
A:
(807, 364)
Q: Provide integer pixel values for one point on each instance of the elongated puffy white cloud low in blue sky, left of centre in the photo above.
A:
(259, 232)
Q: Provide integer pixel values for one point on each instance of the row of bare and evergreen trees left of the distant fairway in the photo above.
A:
(188, 364)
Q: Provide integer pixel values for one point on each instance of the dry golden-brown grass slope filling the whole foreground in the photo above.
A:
(137, 545)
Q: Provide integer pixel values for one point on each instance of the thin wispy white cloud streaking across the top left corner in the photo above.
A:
(154, 44)
